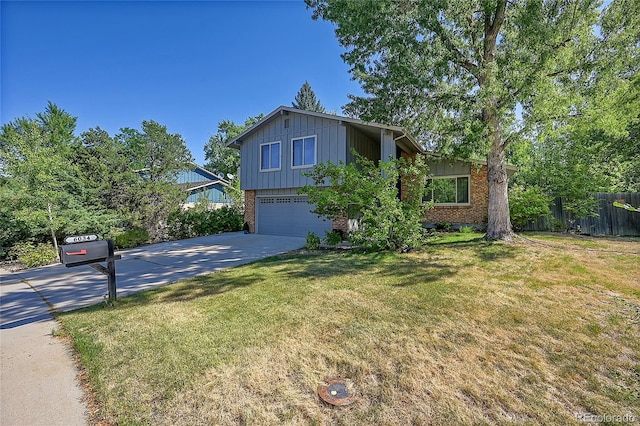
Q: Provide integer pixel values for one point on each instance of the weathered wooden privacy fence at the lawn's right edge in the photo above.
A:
(611, 220)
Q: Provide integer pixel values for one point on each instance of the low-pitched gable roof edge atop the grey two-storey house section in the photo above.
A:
(284, 110)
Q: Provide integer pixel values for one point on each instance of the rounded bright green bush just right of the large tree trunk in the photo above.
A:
(527, 205)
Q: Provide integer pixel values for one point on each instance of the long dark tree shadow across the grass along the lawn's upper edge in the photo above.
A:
(397, 269)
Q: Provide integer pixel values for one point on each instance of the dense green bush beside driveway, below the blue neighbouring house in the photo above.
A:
(200, 221)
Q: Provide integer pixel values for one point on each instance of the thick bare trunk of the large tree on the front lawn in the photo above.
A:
(499, 221)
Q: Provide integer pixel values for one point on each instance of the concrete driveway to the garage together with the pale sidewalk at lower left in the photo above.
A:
(38, 378)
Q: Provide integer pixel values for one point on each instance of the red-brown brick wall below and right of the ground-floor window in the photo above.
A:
(476, 213)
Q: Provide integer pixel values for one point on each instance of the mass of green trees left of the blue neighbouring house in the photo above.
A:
(54, 183)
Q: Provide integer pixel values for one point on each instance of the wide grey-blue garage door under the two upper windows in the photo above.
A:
(287, 215)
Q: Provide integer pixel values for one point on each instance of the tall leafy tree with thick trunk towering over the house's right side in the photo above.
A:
(456, 72)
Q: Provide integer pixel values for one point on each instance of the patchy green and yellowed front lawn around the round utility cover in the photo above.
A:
(541, 331)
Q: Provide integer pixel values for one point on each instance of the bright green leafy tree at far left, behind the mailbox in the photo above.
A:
(46, 191)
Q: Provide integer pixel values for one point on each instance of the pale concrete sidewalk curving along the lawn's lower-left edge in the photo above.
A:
(37, 374)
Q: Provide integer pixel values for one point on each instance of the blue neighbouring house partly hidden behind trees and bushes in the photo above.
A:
(201, 183)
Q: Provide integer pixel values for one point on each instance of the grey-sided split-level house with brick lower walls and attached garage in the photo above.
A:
(277, 151)
